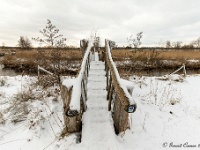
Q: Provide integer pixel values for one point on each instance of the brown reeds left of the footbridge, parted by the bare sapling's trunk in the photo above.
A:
(27, 60)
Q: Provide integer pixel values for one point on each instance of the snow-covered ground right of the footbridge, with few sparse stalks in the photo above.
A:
(168, 114)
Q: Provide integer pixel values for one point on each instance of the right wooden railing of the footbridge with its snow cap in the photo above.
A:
(118, 93)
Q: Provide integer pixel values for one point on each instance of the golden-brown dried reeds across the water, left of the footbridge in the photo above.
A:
(29, 60)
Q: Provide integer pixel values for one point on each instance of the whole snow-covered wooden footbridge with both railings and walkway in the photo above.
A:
(97, 102)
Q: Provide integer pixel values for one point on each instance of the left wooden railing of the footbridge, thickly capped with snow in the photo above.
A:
(74, 94)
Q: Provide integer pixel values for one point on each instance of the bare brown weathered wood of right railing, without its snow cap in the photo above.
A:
(120, 116)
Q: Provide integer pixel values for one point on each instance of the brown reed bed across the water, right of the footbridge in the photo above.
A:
(130, 61)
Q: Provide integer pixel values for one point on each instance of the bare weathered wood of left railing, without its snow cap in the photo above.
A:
(73, 118)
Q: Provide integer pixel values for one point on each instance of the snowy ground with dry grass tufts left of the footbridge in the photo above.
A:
(30, 123)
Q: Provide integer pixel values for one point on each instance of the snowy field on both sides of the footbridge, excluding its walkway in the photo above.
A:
(167, 116)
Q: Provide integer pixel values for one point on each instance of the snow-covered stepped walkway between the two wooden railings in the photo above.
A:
(98, 131)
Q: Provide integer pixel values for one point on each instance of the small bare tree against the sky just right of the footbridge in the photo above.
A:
(135, 42)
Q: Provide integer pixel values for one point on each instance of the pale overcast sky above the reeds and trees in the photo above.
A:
(160, 20)
